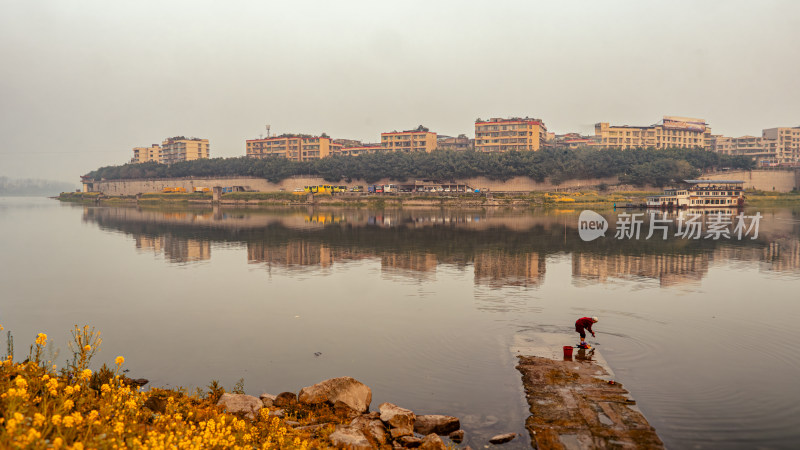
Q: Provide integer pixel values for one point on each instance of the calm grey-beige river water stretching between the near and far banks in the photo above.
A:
(423, 306)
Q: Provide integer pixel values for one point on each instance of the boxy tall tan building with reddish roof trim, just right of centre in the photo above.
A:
(515, 134)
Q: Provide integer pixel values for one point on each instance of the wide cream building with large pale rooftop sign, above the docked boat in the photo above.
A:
(671, 132)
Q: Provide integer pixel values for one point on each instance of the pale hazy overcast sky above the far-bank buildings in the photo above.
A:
(83, 82)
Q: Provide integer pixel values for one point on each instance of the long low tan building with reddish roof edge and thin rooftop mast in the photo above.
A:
(292, 146)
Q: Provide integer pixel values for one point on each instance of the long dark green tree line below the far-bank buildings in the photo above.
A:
(641, 166)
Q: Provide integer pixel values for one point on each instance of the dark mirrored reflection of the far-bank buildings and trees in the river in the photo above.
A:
(501, 248)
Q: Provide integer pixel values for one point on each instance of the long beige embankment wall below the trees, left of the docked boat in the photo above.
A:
(141, 186)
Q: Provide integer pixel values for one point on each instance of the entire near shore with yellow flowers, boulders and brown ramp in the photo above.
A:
(77, 408)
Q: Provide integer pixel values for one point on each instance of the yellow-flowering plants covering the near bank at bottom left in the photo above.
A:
(75, 408)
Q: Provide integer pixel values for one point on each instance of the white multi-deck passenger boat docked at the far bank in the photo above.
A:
(701, 194)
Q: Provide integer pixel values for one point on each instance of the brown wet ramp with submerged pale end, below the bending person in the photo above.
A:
(575, 402)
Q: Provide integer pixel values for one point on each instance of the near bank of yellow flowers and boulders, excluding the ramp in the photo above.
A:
(77, 408)
